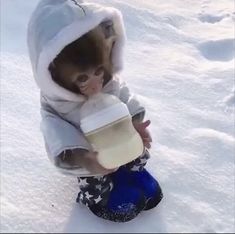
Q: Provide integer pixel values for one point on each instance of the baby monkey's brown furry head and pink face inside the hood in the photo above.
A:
(85, 65)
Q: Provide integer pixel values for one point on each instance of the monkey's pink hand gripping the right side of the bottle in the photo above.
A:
(141, 128)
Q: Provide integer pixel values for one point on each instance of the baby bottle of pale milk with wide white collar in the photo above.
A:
(107, 125)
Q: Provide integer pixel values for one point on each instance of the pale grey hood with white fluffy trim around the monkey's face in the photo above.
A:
(55, 24)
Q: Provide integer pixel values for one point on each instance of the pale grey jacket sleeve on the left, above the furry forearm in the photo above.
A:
(60, 135)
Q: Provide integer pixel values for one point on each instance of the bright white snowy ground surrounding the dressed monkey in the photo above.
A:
(179, 59)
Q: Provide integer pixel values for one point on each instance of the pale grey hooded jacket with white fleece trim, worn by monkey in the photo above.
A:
(53, 25)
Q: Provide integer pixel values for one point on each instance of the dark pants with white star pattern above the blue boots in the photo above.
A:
(96, 189)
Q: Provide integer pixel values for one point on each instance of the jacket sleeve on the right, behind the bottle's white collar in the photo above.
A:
(135, 108)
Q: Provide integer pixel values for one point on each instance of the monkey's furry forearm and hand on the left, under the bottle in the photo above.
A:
(83, 158)
